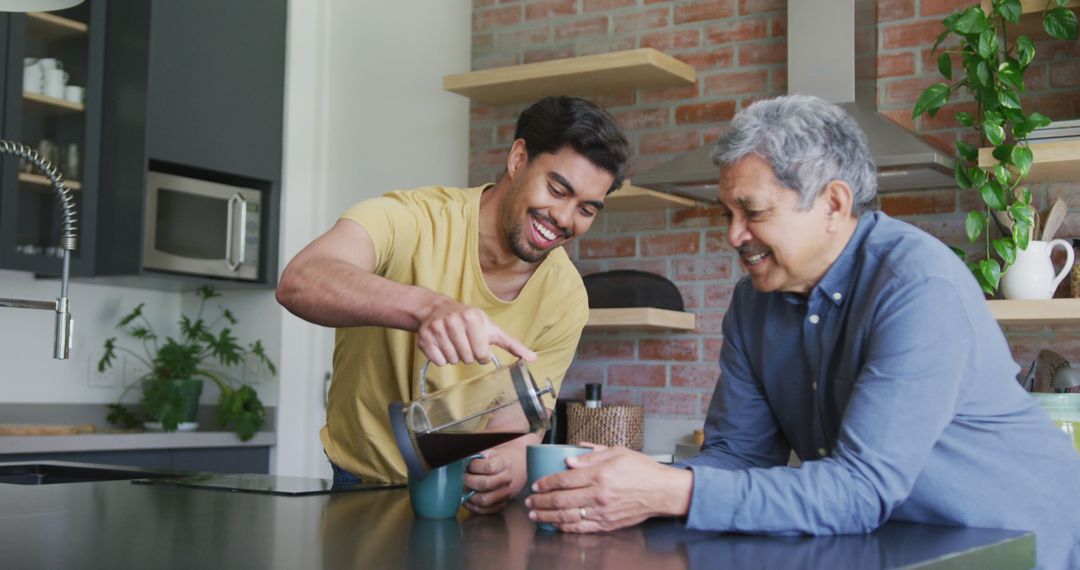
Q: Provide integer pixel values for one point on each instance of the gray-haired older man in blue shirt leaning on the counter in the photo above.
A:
(861, 344)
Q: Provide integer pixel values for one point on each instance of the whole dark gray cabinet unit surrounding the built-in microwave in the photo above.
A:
(194, 88)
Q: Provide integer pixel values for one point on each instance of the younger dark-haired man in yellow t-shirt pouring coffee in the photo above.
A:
(445, 275)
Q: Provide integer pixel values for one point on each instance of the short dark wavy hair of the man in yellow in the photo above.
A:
(552, 124)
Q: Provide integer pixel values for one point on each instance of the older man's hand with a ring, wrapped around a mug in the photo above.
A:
(609, 490)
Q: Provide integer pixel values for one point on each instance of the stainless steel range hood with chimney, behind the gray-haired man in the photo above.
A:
(832, 53)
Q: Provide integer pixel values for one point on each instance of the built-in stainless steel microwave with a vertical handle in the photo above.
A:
(202, 228)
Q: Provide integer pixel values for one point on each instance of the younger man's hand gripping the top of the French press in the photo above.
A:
(455, 333)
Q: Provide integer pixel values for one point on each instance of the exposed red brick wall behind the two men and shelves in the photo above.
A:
(739, 50)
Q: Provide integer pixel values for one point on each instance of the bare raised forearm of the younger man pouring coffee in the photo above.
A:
(337, 294)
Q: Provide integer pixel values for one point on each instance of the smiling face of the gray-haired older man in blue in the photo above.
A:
(785, 249)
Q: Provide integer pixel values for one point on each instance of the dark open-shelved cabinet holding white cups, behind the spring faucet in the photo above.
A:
(30, 210)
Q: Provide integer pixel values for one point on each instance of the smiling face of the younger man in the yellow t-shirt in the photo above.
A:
(552, 199)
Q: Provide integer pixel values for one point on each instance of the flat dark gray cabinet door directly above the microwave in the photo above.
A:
(217, 89)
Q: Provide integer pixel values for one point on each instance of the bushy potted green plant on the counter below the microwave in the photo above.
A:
(178, 368)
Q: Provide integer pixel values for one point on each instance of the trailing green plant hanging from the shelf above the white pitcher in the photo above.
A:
(994, 63)
